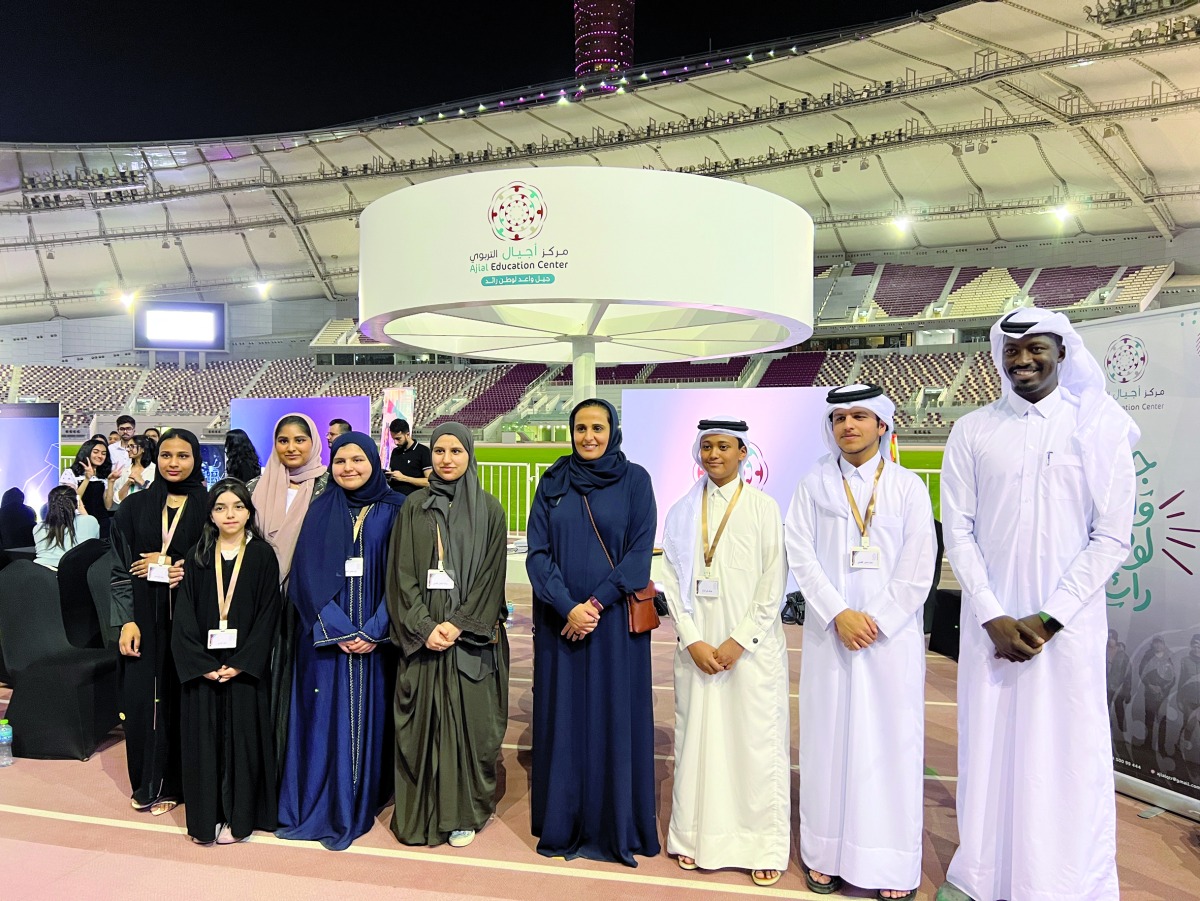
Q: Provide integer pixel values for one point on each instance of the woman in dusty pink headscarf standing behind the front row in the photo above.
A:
(295, 477)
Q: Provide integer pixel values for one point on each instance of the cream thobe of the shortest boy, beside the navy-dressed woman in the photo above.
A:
(731, 803)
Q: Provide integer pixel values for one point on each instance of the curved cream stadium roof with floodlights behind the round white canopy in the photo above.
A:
(985, 122)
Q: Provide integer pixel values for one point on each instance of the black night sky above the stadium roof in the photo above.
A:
(93, 71)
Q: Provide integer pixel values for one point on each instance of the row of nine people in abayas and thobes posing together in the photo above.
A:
(303, 646)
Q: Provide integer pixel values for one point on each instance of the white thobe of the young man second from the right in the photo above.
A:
(862, 712)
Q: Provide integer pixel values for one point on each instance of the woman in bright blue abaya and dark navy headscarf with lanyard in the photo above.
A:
(340, 728)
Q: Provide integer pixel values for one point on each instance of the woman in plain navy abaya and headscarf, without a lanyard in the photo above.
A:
(593, 720)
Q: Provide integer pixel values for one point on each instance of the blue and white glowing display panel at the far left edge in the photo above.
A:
(29, 449)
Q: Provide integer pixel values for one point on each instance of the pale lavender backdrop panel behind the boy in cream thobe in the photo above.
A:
(659, 428)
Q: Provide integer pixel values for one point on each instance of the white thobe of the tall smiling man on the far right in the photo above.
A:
(1025, 536)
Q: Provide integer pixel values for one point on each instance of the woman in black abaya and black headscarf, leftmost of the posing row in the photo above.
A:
(153, 533)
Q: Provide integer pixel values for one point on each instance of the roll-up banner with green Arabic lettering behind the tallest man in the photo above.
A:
(1153, 364)
